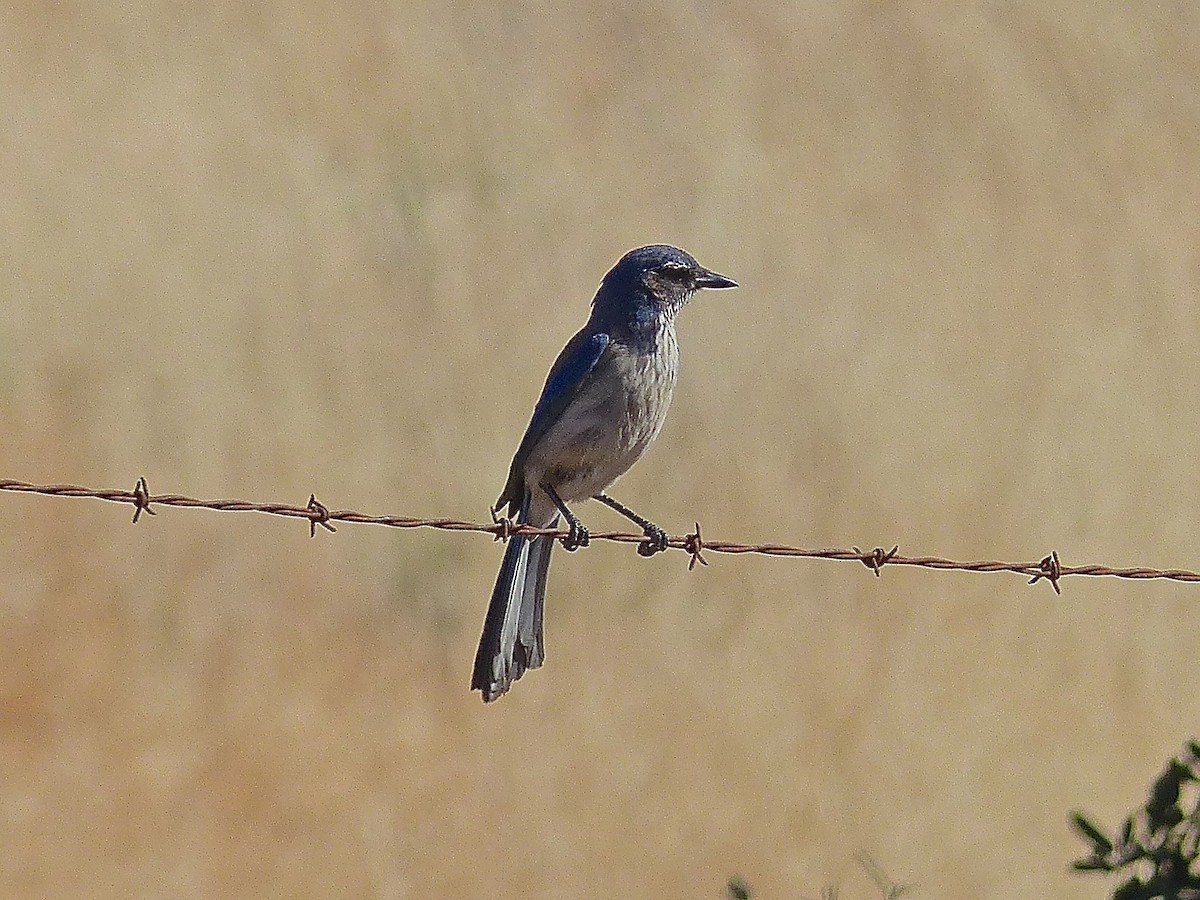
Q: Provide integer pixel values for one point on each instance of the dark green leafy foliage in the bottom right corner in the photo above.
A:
(1157, 845)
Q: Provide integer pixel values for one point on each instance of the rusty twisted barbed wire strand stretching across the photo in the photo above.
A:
(1049, 568)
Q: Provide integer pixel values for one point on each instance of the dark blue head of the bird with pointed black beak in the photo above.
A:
(656, 280)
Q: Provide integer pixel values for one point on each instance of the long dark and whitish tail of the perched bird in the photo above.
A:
(512, 639)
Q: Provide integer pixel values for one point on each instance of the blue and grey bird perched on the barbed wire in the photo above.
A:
(603, 404)
